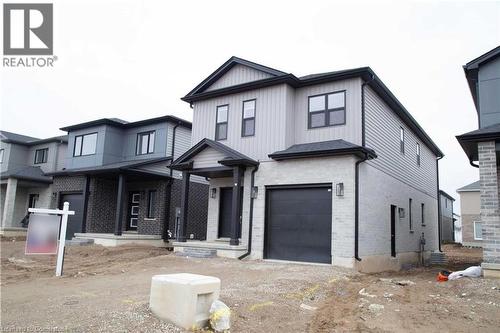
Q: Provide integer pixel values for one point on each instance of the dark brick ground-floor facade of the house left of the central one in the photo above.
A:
(101, 208)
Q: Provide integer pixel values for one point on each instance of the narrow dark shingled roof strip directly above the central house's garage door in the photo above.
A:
(321, 149)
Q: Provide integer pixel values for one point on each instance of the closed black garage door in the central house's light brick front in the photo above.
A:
(299, 223)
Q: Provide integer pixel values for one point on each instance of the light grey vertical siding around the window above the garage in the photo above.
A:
(351, 131)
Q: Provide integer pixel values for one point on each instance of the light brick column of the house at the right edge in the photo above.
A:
(490, 210)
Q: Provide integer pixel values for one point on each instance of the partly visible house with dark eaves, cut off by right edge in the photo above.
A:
(482, 147)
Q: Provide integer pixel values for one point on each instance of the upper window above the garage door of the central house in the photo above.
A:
(327, 110)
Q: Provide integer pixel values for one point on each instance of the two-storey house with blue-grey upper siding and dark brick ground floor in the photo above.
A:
(116, 178)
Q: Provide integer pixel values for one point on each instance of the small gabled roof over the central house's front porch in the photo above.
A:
(232, 158)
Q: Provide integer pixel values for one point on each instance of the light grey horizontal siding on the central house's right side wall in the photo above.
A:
(382, 135)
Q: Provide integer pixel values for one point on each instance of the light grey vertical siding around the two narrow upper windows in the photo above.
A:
(270, 123)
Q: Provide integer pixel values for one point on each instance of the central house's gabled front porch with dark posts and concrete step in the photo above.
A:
(225, 169)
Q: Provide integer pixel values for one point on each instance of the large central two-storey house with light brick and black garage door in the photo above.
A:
(327, 168)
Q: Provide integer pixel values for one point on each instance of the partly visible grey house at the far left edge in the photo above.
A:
(24, 164)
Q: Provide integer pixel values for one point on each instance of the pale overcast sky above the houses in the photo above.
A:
(135, 59)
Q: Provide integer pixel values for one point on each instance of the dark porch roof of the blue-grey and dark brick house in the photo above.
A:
(130, 167)
